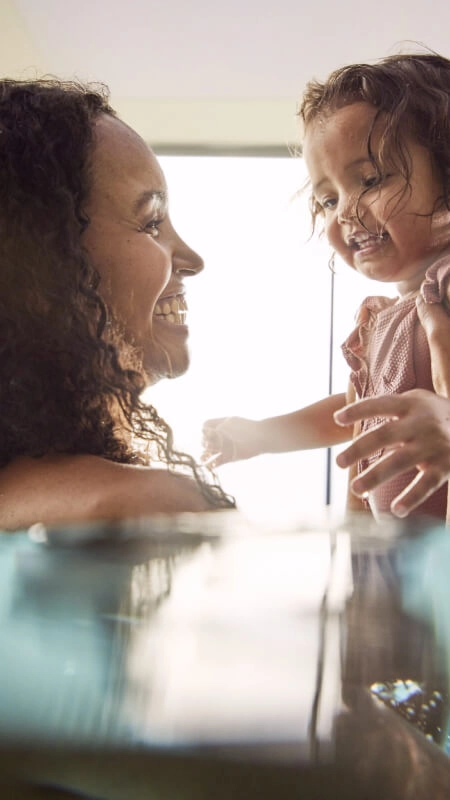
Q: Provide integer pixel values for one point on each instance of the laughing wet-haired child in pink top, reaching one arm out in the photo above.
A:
(376, 142)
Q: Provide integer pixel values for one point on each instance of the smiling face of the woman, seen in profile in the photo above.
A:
(141, 260)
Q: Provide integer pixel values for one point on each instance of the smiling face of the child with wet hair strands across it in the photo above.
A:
(383, 234)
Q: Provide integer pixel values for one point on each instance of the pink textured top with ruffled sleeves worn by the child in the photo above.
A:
(388, 353)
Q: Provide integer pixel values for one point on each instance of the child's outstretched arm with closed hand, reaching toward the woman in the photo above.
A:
(236, 438)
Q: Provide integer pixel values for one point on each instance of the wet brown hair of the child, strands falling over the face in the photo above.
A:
(411, 95)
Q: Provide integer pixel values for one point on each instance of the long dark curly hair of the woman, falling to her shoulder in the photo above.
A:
(68, 382)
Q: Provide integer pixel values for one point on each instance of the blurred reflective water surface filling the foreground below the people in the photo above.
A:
(202, 657)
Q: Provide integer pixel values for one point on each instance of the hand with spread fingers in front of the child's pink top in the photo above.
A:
(416, 433)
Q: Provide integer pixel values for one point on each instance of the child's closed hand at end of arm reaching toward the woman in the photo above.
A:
(230, 439)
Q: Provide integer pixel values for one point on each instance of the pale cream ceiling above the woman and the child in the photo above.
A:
(211, 75)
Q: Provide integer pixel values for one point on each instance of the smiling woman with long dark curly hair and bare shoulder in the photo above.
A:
(92, 312)
